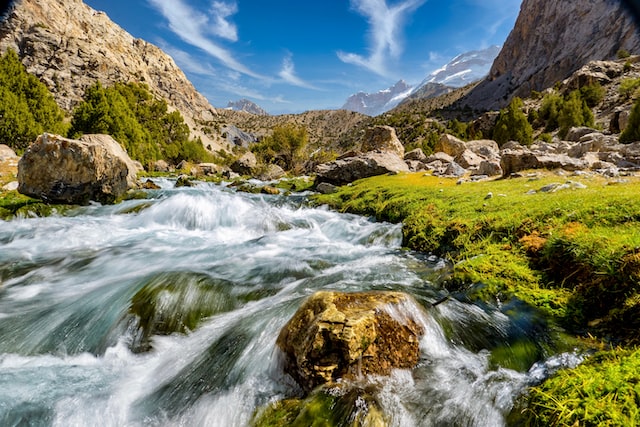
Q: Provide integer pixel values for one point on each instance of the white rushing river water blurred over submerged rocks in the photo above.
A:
(67, 353)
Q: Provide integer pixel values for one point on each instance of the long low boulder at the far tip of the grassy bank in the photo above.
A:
(344, 171)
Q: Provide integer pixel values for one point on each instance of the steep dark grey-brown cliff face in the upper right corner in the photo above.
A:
(550, 41)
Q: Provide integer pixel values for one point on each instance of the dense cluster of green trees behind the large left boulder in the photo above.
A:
(141, 123)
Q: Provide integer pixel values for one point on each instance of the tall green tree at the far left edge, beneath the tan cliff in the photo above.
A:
(27, 108)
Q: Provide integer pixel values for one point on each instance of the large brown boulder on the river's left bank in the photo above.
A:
(62, 170)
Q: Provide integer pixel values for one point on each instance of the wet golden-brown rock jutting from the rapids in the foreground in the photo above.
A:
(344, 335)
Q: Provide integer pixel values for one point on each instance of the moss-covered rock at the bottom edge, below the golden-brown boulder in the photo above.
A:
(323, 408)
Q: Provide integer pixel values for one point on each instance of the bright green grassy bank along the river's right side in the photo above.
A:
(567, 245)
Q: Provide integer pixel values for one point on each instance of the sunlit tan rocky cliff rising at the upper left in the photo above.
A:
(69, 46)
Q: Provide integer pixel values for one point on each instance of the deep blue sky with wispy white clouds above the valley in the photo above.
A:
(297, 55)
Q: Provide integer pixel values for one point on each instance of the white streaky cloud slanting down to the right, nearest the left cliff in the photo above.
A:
(197, 29)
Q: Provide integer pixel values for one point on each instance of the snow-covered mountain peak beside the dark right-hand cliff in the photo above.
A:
(465, 68)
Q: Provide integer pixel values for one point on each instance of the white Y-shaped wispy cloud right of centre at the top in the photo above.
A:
(385, 32)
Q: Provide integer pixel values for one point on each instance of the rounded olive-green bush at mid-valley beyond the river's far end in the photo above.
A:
(284, 147)
